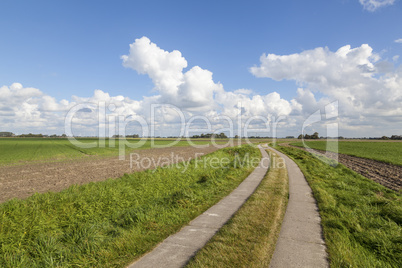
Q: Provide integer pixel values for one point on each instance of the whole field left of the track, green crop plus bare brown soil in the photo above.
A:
(38, 165)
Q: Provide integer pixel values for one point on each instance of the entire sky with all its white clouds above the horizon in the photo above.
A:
(181, 67)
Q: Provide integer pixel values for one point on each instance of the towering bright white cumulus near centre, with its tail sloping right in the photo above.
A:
(195, 91)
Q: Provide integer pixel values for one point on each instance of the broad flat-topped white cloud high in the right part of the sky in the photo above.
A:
(320, 61)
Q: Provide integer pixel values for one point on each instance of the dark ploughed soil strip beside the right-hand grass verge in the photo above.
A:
(385, 174)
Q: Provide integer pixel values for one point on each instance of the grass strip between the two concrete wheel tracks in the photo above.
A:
(249, 238)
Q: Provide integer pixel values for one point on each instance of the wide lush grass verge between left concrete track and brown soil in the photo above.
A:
(111, 223)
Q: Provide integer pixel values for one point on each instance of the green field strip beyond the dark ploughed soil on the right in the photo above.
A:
(388, 152)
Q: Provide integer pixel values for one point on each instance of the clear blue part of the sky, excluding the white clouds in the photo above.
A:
(66, 48)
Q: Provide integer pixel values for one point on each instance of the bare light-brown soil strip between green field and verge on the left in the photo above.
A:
(23, 181)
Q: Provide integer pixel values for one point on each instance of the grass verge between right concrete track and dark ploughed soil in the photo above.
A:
(361, 219)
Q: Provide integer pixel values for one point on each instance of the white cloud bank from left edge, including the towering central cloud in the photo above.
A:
(191, 93)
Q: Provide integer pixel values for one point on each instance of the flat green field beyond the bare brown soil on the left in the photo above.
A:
(21, 150)
